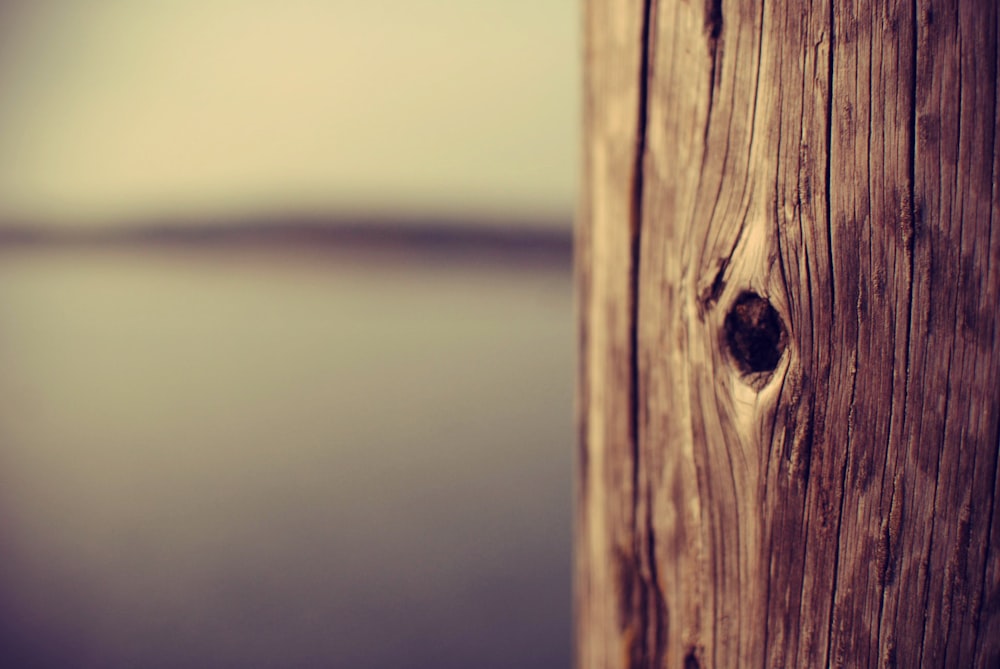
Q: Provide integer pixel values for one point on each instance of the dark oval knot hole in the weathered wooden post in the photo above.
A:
(755, 334)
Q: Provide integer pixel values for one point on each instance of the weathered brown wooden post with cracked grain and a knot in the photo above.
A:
(789, 272)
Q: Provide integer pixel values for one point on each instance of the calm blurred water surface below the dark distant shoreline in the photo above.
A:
(283, 459)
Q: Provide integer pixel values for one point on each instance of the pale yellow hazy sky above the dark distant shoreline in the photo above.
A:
(118, 110)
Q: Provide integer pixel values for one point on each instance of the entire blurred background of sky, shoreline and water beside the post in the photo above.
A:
(286, 332)
